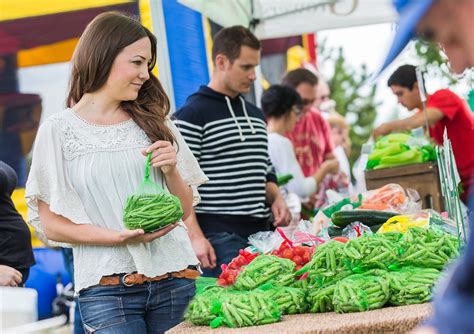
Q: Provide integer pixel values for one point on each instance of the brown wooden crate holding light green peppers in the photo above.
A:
(424, 178)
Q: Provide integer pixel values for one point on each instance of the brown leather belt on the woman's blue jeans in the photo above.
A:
(132, 279)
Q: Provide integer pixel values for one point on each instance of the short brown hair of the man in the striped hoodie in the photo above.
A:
(228, 42)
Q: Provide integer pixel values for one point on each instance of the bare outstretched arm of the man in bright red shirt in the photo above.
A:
(433, 115)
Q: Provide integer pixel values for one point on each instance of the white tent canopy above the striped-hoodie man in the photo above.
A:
(282, 18)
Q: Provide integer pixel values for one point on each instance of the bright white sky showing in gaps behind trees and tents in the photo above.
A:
(362, 45)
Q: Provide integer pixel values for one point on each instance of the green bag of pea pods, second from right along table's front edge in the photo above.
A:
(359, 293)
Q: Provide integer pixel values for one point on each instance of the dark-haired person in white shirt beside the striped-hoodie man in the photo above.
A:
(282, 108)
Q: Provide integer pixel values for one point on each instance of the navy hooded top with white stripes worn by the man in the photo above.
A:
(228, 137)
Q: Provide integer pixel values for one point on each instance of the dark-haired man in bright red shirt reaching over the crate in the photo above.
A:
(444, 109)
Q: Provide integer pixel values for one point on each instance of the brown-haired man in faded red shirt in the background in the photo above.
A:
(311, 136)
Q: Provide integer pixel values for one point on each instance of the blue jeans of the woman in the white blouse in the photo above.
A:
(152, 307)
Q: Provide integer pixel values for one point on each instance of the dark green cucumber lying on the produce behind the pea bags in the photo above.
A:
(366, 217)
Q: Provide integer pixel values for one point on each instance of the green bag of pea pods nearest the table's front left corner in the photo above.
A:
(246, 309)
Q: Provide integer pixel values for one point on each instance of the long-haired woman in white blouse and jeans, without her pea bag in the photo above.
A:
(89, 158)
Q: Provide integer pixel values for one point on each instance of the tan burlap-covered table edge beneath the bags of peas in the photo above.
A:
(399, 319)
